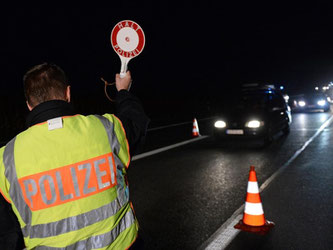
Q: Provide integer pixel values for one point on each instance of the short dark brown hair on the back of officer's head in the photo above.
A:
(44, 82)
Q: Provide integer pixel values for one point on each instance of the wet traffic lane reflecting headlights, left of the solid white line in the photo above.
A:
(184, 195)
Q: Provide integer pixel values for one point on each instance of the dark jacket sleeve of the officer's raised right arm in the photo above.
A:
(130, 112)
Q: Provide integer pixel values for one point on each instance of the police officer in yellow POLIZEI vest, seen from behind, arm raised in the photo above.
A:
(65, 176)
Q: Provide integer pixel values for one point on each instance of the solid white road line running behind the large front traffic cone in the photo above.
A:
(226, 233)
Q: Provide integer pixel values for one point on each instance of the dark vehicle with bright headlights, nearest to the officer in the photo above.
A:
(256, 111)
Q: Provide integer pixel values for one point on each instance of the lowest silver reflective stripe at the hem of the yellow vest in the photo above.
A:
(99, 241)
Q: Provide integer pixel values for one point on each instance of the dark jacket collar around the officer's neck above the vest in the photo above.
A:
(48, 110)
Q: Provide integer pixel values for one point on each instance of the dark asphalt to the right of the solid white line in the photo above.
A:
(300, 202)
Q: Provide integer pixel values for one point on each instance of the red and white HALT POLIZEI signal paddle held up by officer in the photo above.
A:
(128, 40)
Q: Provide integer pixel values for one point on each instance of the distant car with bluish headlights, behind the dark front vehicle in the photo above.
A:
(314, 101)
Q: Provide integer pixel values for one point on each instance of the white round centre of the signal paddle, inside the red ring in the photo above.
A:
(127, 39)
